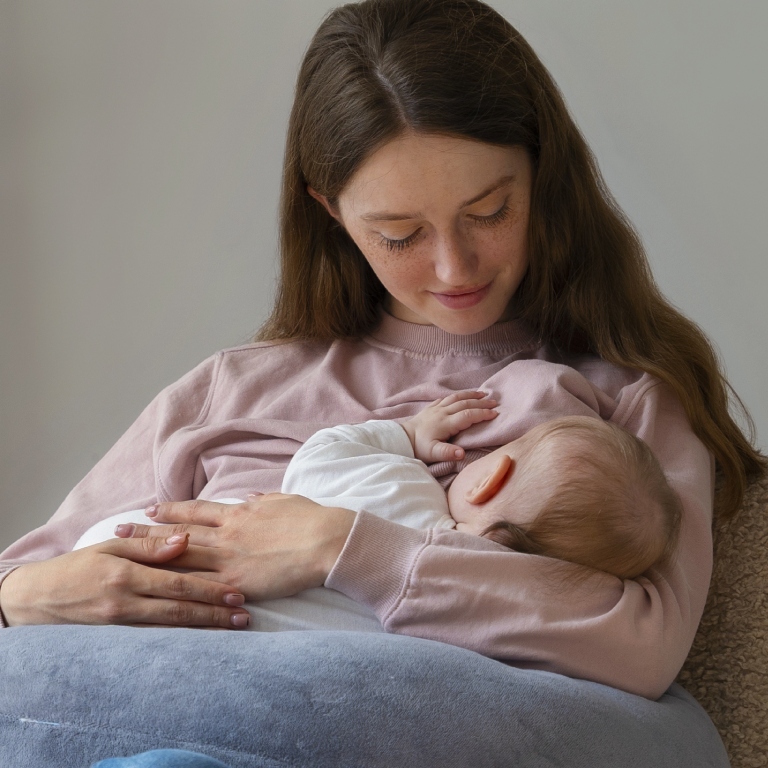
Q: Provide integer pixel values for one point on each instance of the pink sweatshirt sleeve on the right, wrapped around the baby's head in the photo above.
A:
(467, 591)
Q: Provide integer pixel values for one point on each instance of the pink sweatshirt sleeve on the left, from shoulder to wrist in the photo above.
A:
(126, 478)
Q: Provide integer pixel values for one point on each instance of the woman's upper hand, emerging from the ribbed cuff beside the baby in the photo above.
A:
(271, 546)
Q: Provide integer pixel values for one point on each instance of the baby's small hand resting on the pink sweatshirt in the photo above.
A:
(438, 422)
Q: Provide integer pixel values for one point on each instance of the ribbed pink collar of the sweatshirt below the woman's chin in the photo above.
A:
(501, 338)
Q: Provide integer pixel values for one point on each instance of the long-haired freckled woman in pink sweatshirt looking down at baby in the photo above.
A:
(441, 216)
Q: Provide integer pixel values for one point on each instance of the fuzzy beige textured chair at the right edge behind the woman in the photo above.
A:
(727, 669)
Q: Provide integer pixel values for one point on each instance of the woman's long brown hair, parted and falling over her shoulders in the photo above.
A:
(379, 68)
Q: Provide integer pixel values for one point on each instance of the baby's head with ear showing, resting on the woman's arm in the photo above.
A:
(575, 488)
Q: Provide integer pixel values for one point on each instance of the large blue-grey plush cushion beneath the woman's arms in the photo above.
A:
(73, 695)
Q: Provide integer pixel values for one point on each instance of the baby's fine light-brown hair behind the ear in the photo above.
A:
(602, 497)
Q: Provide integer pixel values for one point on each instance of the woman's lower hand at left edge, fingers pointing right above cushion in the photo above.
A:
(114, 583)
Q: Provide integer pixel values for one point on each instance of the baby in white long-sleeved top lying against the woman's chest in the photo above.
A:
(574, 488)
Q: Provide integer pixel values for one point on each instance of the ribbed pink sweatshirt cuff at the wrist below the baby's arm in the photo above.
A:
(376, 562)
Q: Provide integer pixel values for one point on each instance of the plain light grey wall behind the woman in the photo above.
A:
(140, 152)
